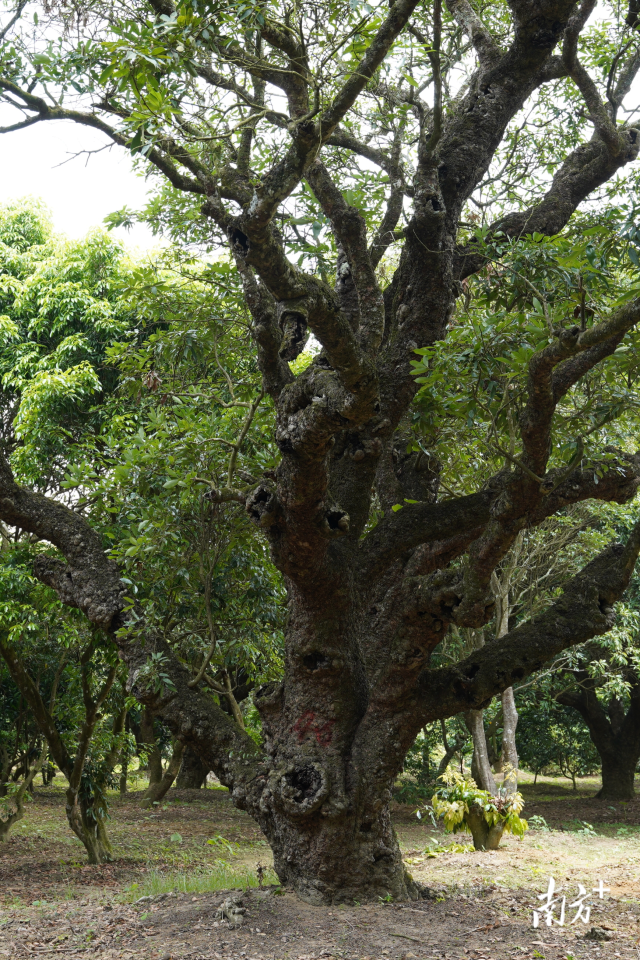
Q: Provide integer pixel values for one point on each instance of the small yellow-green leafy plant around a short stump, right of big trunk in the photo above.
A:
(464, 807)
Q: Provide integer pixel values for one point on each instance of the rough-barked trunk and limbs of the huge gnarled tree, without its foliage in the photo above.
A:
(367, 606)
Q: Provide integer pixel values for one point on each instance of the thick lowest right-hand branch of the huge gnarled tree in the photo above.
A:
(407, 697)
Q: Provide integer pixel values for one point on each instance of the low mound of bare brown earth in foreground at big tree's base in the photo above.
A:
(491, 924)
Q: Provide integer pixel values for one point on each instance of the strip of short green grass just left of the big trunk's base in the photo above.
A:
(222, 876)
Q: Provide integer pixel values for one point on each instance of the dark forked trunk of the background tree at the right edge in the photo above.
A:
(615, 735)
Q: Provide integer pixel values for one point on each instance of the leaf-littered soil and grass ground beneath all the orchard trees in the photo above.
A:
(174, 867)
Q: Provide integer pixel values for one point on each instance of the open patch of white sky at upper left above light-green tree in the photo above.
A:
(81, 192)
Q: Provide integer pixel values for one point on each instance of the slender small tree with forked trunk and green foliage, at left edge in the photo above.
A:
(64, 671)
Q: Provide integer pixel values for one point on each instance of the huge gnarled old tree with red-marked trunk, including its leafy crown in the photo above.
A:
(362, 165)
